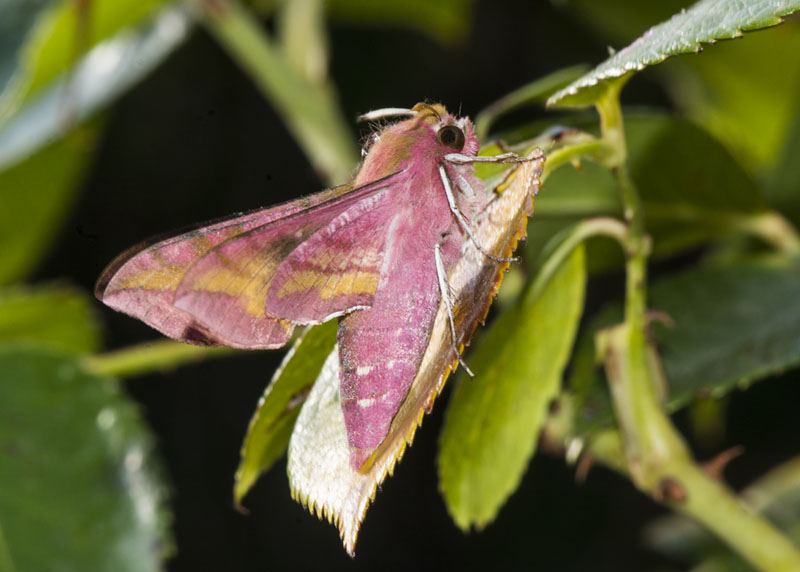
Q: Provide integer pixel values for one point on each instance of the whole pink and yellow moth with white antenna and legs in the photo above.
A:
(375, 253)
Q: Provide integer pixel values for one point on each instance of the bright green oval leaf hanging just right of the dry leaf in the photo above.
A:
(493, 421)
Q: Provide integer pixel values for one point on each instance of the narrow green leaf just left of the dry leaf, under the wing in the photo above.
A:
(273, 421)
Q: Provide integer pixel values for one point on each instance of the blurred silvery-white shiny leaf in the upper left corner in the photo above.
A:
(106, 72)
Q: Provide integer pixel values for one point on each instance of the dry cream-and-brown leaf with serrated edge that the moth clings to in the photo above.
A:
(318, 460)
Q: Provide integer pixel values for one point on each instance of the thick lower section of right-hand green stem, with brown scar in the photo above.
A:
(660, 463)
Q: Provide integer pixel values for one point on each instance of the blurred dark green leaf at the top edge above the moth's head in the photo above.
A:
(443, 20)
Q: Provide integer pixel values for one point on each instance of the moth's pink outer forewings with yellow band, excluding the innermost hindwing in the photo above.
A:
(177, 284)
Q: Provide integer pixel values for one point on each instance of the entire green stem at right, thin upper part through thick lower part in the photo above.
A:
(658, 459)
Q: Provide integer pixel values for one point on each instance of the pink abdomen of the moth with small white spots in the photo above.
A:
(380, 348)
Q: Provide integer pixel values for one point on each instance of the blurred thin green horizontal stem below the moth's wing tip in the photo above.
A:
(149, 357)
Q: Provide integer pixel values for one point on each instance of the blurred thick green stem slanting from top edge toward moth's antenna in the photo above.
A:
(310, 110)
